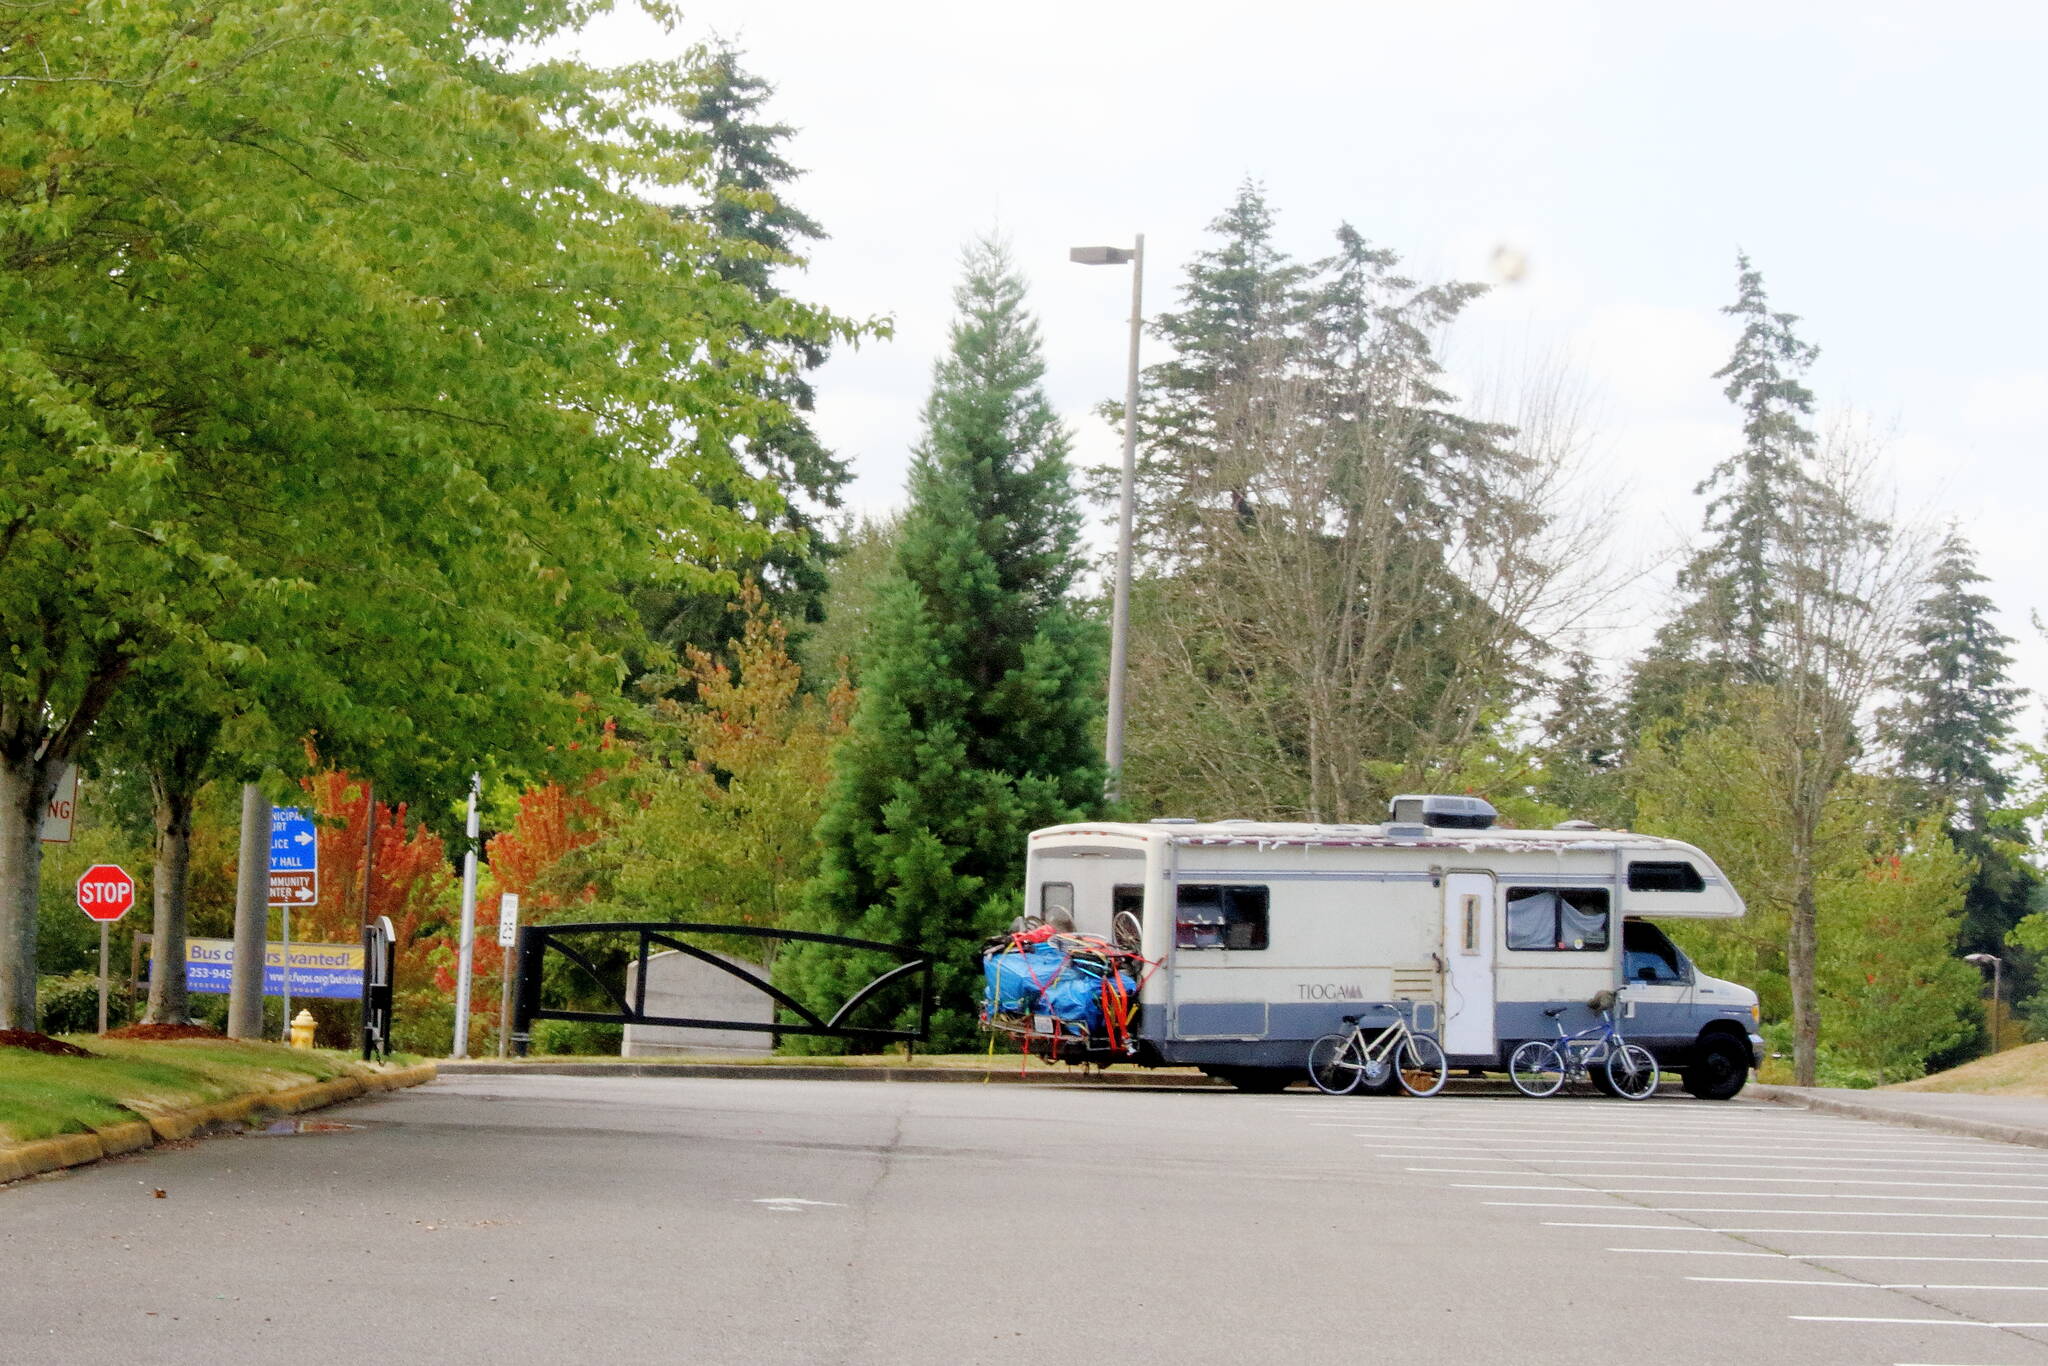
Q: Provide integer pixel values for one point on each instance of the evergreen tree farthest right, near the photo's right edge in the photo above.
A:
(1949, 728)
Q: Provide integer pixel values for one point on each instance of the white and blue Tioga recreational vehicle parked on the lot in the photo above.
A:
(1271, 935)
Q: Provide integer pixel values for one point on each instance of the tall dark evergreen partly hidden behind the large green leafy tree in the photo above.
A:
(757, 232)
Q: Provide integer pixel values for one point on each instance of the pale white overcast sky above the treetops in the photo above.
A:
(1881, 165)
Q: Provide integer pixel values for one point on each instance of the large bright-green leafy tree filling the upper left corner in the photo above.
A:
(345, 318)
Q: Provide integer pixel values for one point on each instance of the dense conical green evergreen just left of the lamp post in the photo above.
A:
(978, 716)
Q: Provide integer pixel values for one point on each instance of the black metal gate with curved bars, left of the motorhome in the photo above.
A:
(570, 943)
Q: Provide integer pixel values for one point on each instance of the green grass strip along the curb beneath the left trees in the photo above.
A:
(44, 1097)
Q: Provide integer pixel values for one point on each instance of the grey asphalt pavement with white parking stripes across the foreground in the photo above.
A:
(652, 1220)
